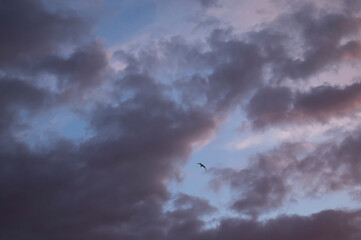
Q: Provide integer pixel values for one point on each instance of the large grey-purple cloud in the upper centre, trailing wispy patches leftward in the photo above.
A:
(224, 74)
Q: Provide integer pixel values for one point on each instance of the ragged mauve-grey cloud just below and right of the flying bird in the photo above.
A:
(258, 189)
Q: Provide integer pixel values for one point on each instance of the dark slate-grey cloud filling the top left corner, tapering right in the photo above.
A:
(29, 30)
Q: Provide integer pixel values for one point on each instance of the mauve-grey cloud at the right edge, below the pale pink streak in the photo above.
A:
(334, 166)
